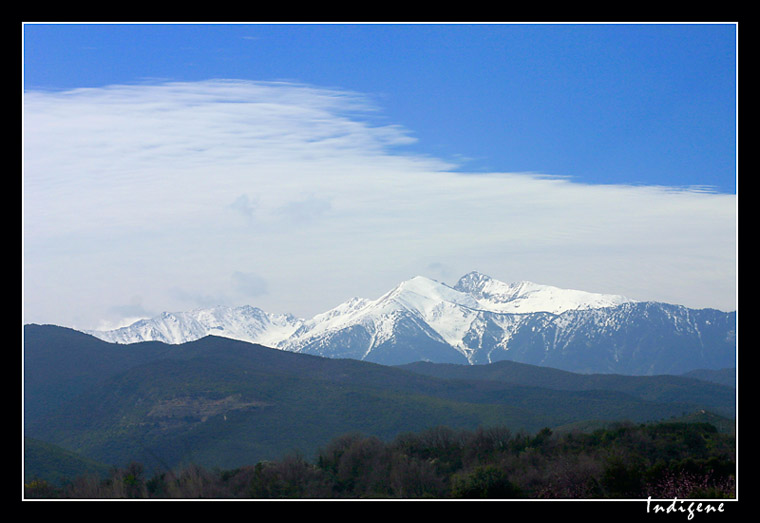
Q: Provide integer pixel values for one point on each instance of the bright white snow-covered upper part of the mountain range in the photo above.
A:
(448, 313)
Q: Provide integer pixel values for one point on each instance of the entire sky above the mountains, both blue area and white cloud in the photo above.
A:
(625, 125)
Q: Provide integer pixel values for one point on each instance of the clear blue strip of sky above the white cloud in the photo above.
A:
(649, 104)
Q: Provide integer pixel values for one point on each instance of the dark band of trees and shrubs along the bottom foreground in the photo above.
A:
(624, 461)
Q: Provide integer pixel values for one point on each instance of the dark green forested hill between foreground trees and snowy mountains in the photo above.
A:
(224, 403)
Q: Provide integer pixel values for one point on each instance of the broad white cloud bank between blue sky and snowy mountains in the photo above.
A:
(294, 198)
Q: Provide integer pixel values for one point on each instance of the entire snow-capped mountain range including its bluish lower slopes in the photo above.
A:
(478, 320)
